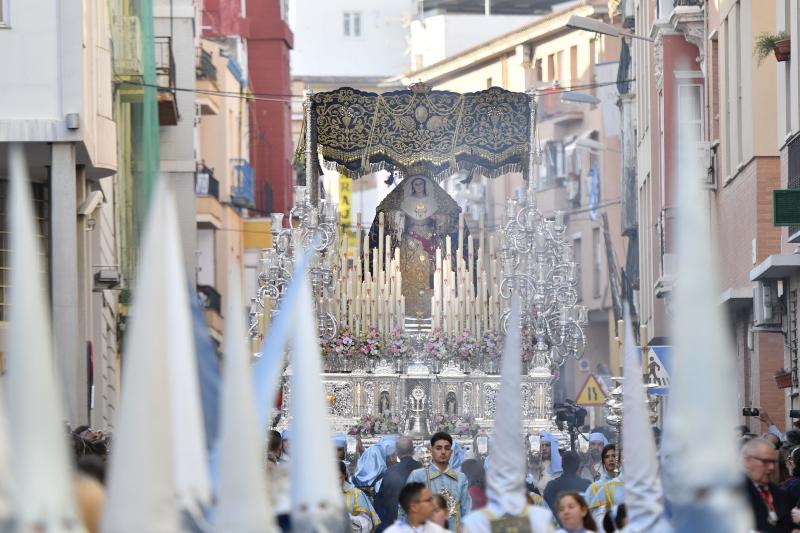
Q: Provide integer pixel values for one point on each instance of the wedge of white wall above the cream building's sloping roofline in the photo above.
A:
(443, 35)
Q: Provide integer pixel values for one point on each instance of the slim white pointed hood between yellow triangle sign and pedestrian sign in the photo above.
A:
(644, 496)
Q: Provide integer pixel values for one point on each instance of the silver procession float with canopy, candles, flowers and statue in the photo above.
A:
(413, 317)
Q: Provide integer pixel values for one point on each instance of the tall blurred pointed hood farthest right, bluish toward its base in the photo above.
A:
(703, 481)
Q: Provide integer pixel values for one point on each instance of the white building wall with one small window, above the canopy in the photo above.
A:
(322, 49)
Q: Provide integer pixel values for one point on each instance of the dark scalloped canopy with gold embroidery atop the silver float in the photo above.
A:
(421, 131)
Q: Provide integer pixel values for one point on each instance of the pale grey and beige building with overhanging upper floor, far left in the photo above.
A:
(58, 101)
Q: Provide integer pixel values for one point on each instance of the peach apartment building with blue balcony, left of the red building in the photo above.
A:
(224, 185)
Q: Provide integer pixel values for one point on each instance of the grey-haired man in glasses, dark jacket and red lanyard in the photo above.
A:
(772, 506)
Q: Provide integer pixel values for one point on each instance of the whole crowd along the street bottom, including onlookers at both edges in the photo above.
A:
(389, 489)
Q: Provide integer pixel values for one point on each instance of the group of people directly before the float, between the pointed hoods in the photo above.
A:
(389, 489)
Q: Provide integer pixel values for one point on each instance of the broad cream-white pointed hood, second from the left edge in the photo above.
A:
(142, 489)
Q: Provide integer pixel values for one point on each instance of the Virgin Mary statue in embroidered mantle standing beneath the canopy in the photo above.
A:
(418, 215)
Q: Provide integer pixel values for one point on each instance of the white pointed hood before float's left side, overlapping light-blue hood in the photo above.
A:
(317, 504)
